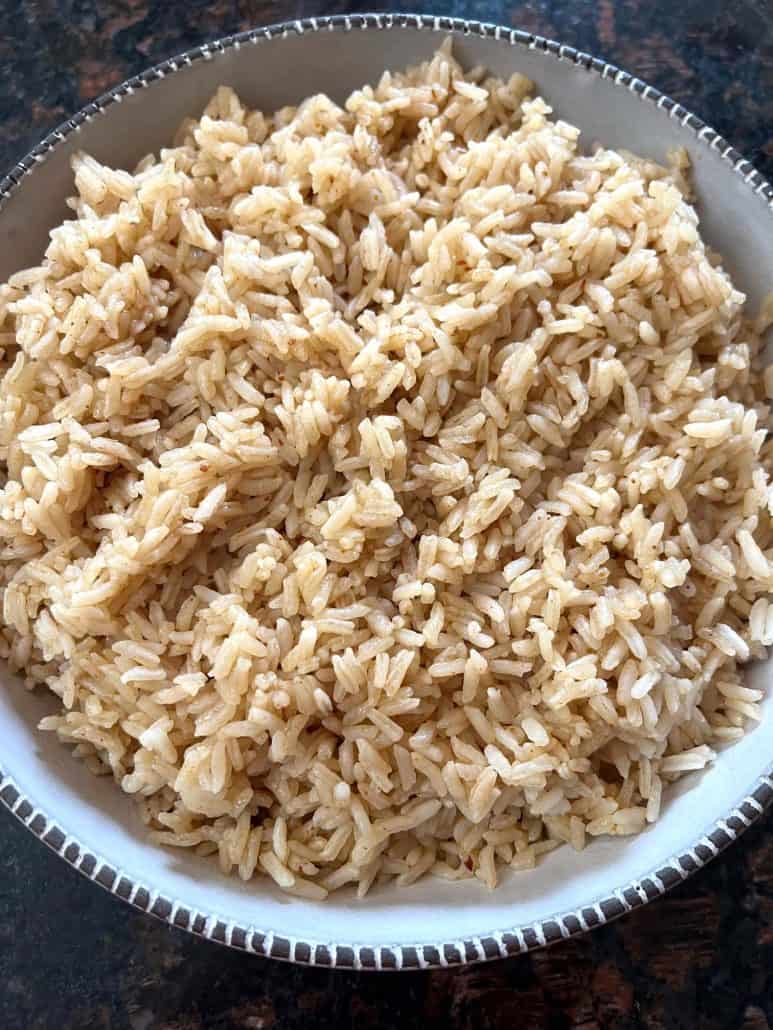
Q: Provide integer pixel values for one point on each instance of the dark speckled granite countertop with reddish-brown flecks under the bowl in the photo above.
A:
(72, 956)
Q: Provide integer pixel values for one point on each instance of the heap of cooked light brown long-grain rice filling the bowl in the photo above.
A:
(386, 490)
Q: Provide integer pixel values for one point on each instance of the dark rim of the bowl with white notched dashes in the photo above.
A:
(388, 956)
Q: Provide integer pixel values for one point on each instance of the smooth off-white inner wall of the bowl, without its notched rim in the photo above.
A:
(270, 75)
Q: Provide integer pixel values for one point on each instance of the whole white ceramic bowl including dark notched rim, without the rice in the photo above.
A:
(87, 820)
